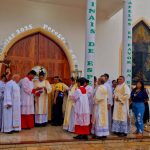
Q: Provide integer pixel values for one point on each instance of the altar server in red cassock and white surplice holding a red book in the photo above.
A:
(27, 101)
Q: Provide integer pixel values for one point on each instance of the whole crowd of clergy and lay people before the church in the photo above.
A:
(98, 110)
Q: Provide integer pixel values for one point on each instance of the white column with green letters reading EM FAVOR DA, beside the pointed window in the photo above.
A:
(127, 42)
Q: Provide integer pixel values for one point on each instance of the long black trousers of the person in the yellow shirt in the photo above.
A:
(57, 114)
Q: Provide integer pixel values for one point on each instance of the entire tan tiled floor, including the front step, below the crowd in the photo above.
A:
(54, 138)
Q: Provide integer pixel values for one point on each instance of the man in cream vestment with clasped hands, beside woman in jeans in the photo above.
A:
(120, 124)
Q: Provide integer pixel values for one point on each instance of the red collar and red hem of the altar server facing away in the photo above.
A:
(82, 130)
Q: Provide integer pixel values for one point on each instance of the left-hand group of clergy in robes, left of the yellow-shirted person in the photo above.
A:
(23, 103)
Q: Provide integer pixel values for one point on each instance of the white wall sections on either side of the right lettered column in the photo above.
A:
(109, 38)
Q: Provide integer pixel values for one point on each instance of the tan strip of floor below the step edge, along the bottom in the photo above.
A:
(84, 146)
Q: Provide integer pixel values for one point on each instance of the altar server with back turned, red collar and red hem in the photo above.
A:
(82, 111)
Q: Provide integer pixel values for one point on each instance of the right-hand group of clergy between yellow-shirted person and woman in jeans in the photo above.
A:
(99, 109)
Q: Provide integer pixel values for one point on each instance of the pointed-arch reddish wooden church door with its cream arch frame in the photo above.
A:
(39, 47)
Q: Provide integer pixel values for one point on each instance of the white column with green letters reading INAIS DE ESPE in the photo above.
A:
(90, 40)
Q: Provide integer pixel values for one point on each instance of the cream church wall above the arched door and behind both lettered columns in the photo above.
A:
(71, 23)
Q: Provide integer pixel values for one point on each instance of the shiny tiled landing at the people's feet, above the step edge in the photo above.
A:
(48, 133)
